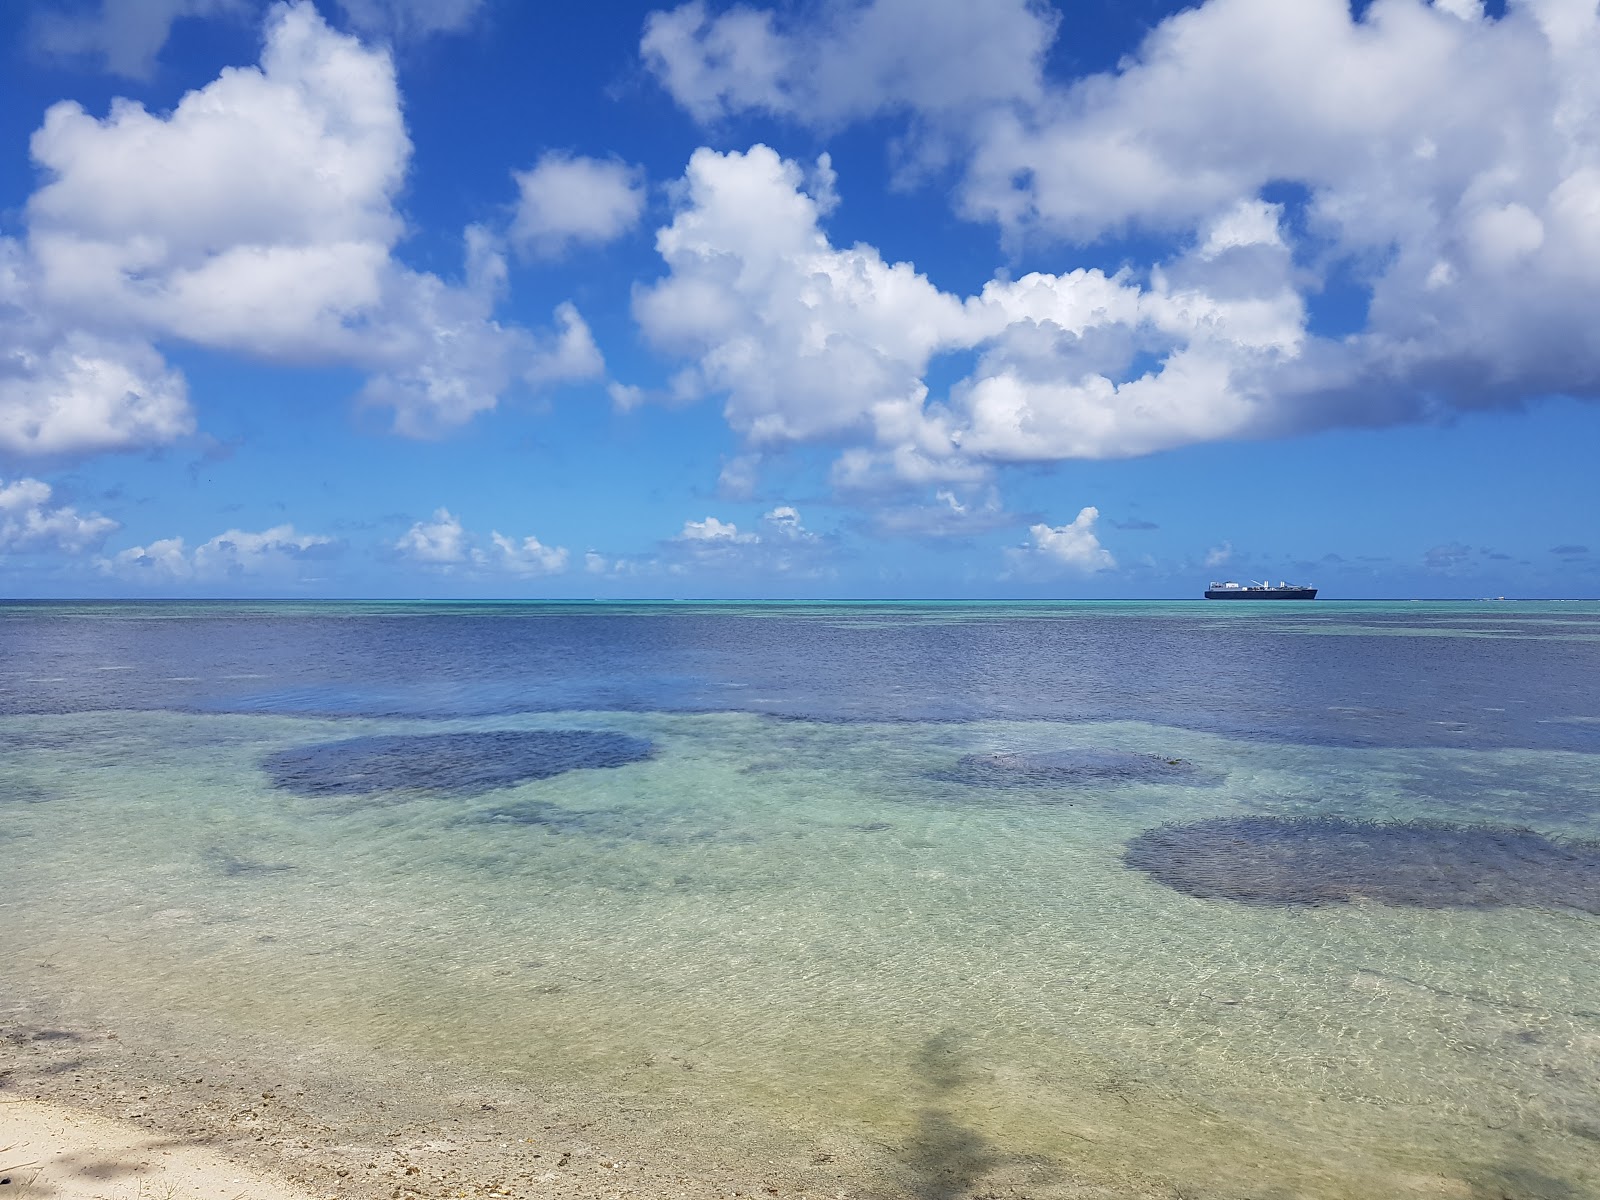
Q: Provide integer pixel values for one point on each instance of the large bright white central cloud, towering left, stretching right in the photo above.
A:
(817, 343)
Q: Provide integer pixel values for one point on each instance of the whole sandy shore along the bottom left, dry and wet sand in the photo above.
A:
(94, 1114)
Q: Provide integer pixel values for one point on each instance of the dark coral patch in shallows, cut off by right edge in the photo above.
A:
(1262, 860)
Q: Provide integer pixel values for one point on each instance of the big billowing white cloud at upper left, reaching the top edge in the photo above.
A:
(265, 185)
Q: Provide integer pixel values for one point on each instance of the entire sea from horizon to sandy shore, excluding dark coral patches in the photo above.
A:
(804, 900)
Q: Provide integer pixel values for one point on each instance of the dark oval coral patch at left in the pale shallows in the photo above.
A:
(465, 764)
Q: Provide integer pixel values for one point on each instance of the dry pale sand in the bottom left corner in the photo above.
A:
(54, 1153)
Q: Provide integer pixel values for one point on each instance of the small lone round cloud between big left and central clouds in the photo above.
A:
(569, 201)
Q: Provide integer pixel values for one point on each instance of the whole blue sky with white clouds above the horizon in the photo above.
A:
(828, 298)
